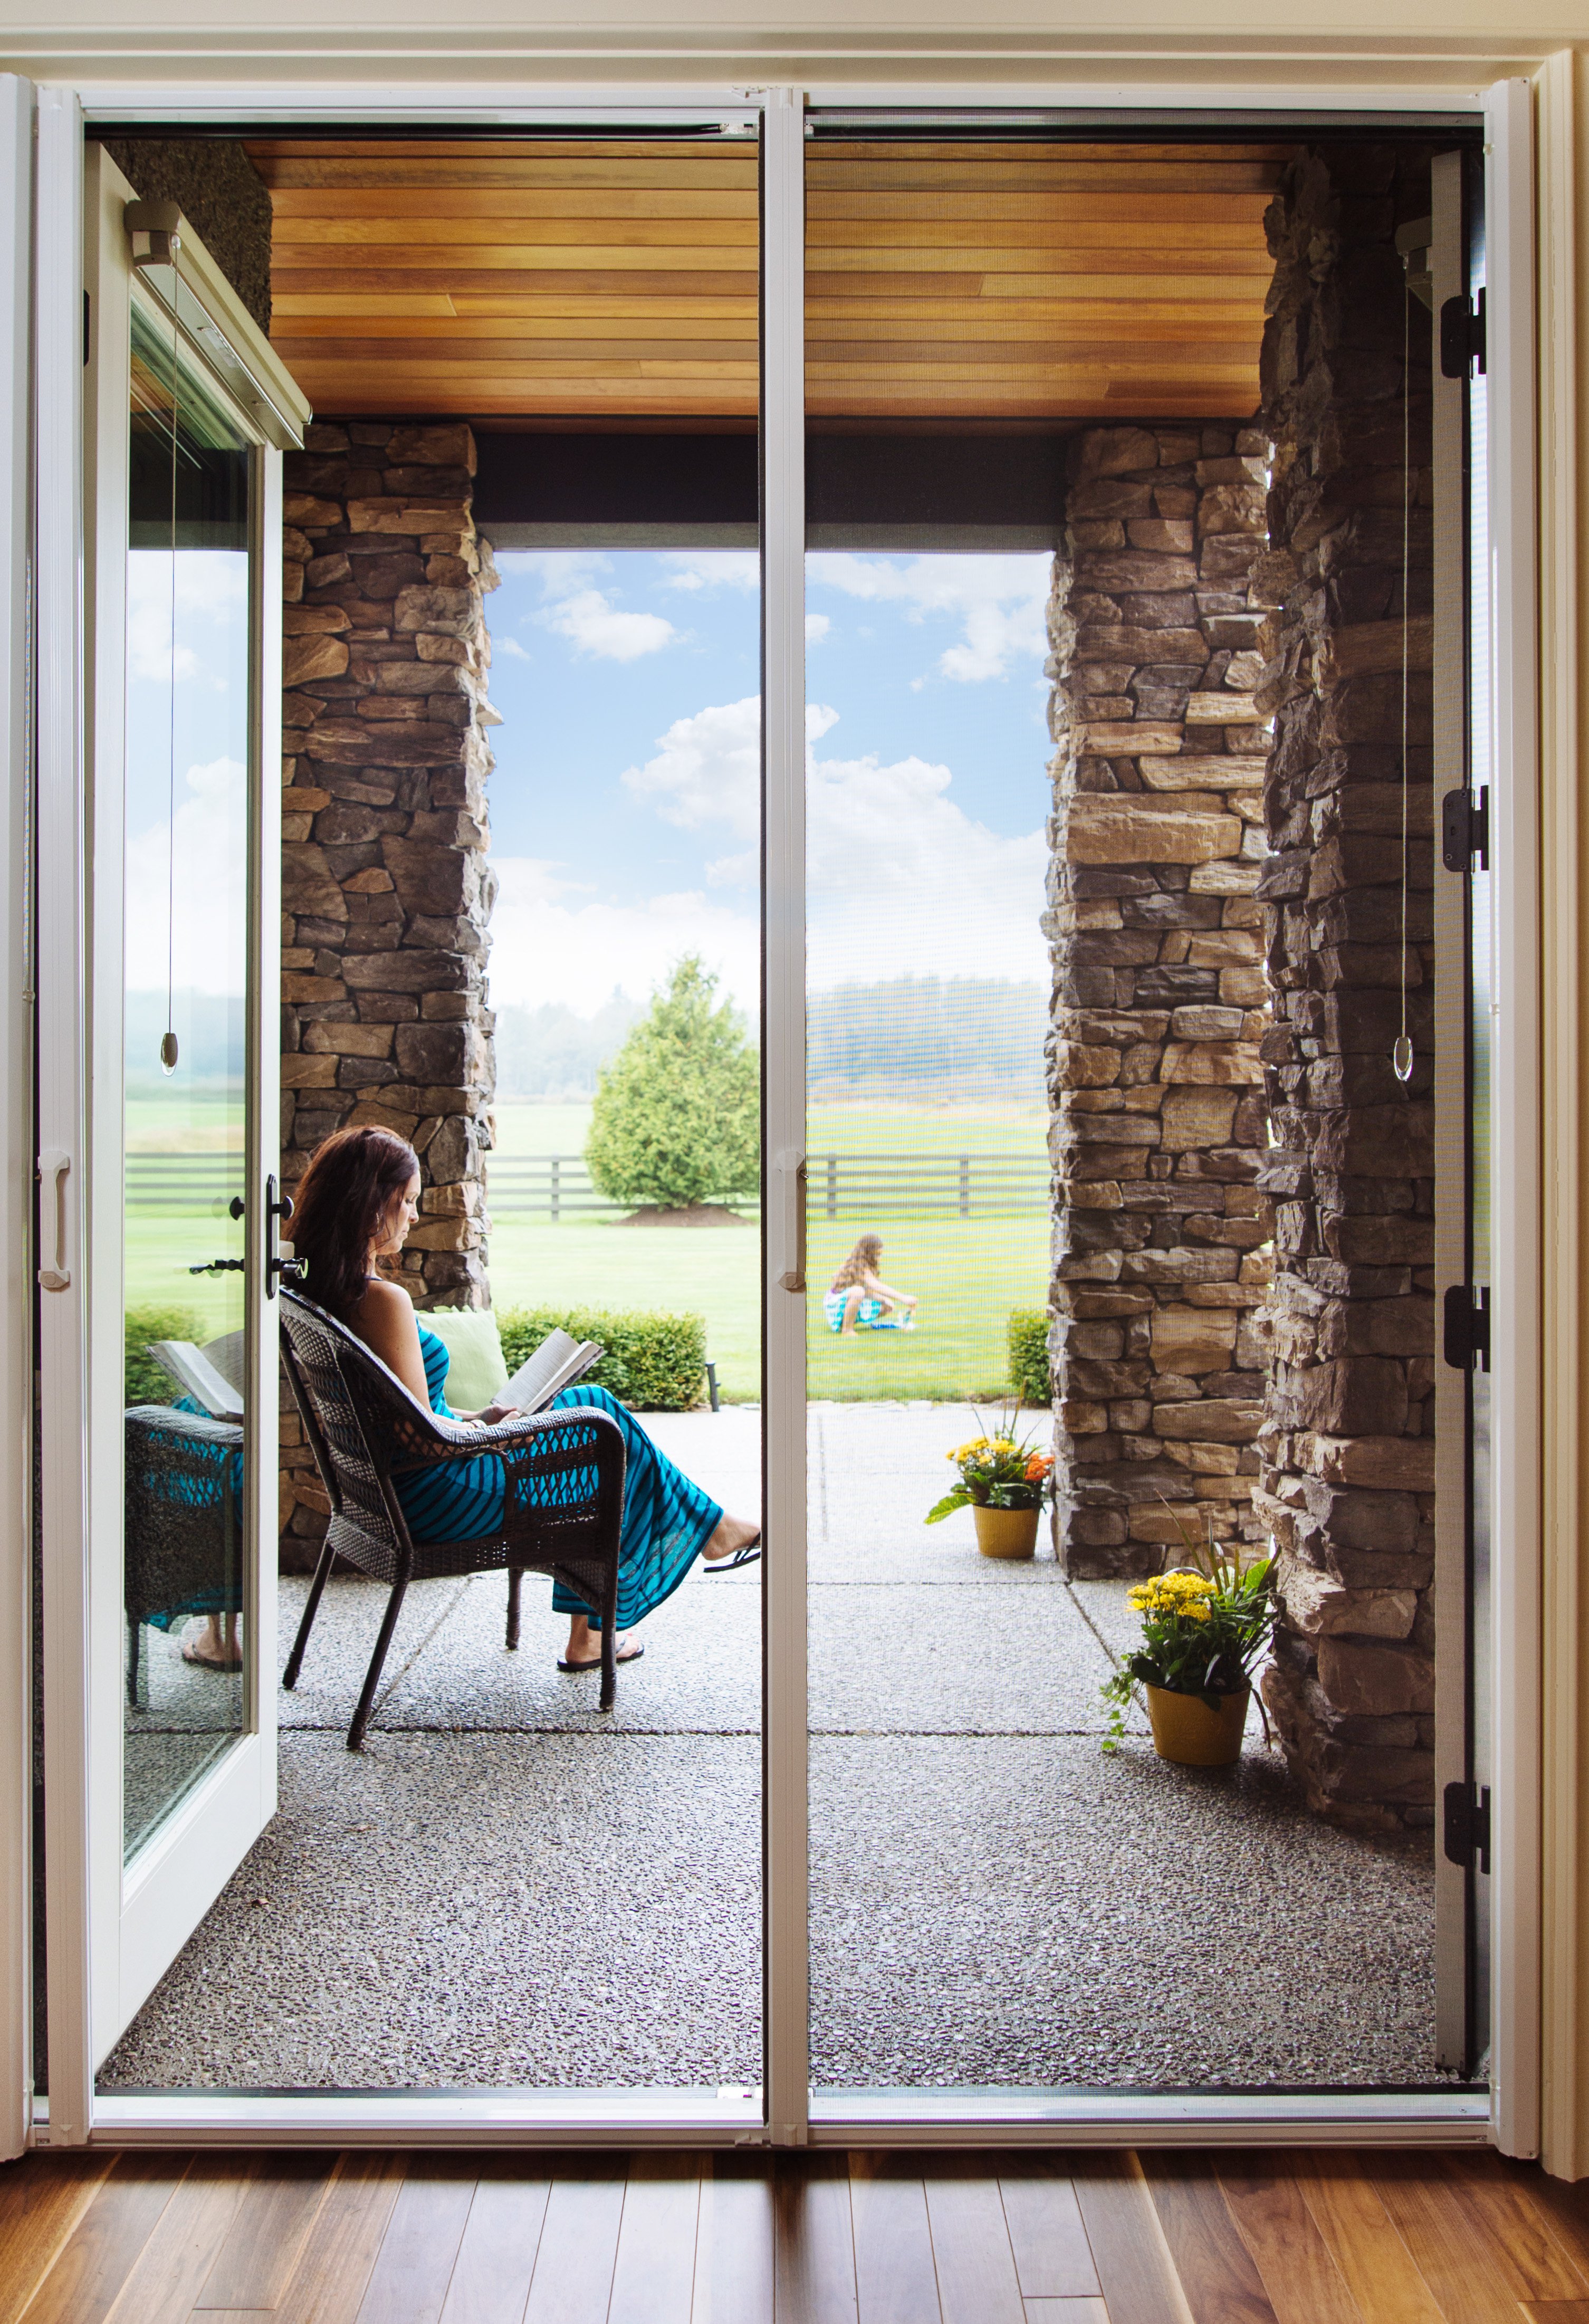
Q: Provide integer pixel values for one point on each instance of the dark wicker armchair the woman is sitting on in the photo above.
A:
(561, 1509)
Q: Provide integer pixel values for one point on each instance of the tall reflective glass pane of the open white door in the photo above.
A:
(187, 835)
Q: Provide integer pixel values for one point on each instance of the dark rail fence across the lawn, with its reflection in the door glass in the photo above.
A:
(559, 1186)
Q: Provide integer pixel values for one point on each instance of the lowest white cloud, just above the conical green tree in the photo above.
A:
(552, 942)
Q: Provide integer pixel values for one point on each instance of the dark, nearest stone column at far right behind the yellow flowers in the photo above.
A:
(1349, 1440)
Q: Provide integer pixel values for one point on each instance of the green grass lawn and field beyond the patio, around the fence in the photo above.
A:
(968, 1272)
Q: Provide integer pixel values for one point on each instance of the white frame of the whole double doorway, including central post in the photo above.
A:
(916, 2116)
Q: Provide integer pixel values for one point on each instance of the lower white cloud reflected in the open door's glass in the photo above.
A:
(201, 863)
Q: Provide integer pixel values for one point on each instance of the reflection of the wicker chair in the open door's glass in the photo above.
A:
(185, 1526)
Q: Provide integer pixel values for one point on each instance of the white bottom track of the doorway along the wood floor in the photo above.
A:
(840, 2118)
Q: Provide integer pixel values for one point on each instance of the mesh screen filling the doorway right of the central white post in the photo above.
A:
(1042, 794)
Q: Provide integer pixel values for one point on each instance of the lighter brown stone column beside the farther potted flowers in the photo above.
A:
(1160, 1275)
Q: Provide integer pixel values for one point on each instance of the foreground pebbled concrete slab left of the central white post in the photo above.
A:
(447, 1911)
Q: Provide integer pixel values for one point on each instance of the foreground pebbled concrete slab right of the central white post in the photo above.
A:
(1028, 1911)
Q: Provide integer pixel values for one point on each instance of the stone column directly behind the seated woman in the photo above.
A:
(384, 877)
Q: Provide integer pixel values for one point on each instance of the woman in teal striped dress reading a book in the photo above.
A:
(357, 1205)
